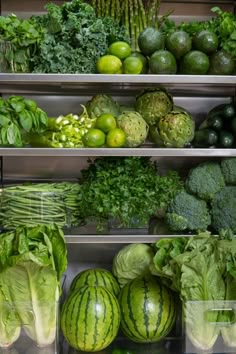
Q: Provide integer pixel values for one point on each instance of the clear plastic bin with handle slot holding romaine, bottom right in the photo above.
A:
(210, 327)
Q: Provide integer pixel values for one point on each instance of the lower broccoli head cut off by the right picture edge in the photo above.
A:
(223, 210)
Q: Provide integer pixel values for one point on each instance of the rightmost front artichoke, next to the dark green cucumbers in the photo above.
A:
(174, 130)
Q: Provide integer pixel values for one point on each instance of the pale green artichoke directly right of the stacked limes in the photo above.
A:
(134, 126)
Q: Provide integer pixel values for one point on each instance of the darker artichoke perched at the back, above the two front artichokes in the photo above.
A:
(153, 104)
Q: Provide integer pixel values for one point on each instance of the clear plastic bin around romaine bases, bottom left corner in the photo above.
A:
(25, 331)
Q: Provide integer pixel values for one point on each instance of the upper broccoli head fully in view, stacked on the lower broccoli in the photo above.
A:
(205, 180)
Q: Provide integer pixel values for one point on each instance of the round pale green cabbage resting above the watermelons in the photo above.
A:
(132, 261)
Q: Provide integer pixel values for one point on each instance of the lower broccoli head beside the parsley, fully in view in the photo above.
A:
(187, 212)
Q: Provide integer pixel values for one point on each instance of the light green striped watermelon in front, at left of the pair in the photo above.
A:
(90, 318)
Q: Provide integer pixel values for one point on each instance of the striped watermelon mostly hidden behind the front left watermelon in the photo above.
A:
(96, 277)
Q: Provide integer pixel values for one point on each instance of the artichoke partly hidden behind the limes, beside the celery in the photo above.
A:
(100, 104)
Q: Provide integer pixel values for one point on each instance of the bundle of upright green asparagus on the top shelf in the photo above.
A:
(135, 15)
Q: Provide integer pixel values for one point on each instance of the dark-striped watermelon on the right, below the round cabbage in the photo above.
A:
(147, 310)
